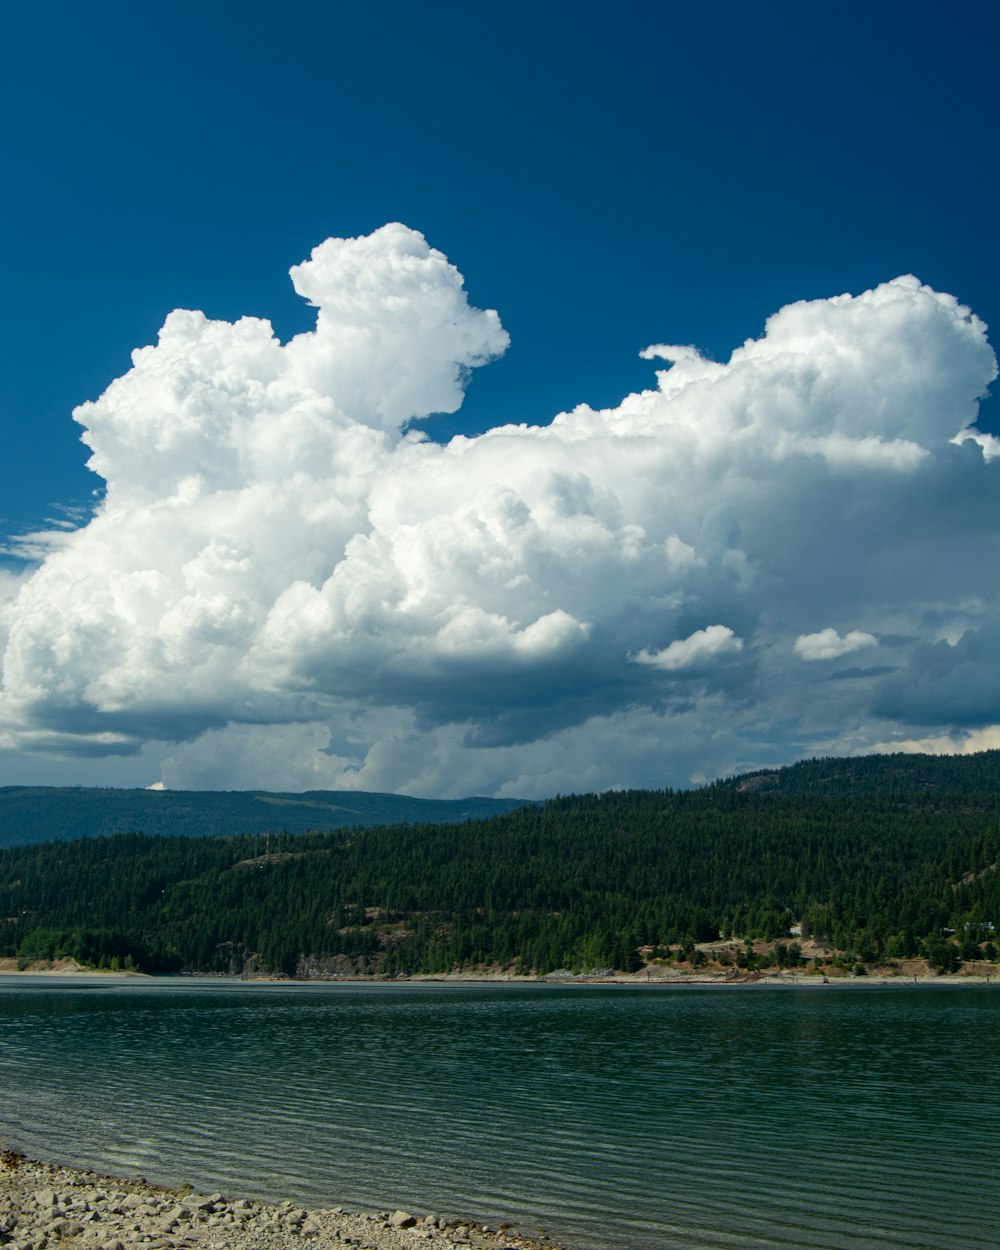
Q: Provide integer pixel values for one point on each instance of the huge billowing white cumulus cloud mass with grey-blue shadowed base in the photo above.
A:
(287, 586)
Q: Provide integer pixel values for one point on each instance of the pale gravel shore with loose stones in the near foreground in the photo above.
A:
(51, 1208)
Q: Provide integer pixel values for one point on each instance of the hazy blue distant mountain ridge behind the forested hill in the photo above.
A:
(42, 814)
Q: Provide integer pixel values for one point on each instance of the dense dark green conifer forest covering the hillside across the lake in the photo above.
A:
(882, 858)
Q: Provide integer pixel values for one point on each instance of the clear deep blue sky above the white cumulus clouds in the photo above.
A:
(603, 178)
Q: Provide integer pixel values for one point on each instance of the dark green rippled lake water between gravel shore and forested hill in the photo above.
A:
(614, 1118)
